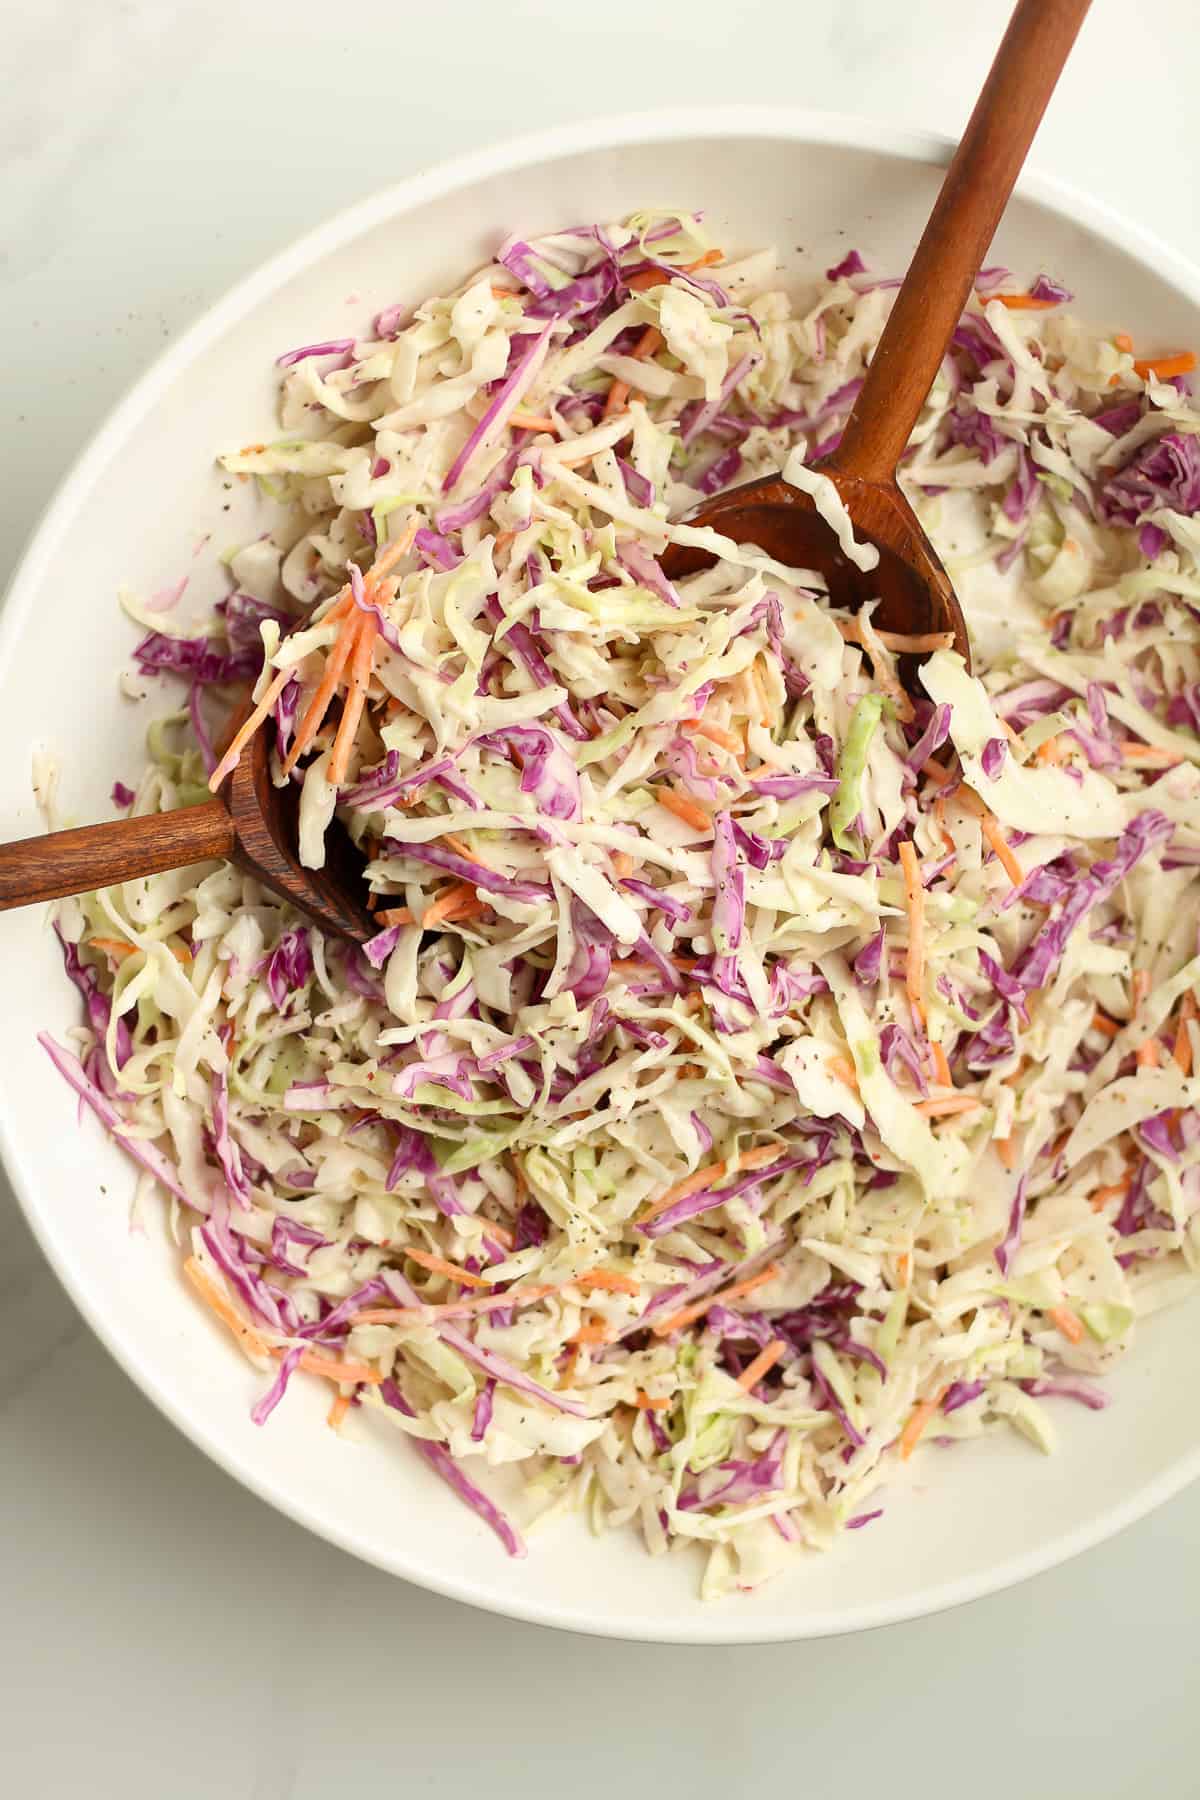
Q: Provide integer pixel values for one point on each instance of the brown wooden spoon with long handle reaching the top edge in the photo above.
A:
(915, 591)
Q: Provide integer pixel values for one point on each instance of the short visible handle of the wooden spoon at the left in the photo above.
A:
(96, 856)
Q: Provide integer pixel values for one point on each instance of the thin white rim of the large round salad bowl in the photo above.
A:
(508, 156)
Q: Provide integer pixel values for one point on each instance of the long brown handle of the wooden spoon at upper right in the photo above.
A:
(972, 199)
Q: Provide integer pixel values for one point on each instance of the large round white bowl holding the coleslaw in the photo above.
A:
(962, 1524)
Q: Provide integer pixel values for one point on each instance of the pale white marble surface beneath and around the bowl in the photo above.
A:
(161, 1632)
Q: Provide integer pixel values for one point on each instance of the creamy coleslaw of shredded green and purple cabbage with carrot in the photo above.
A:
(757, 1072)
